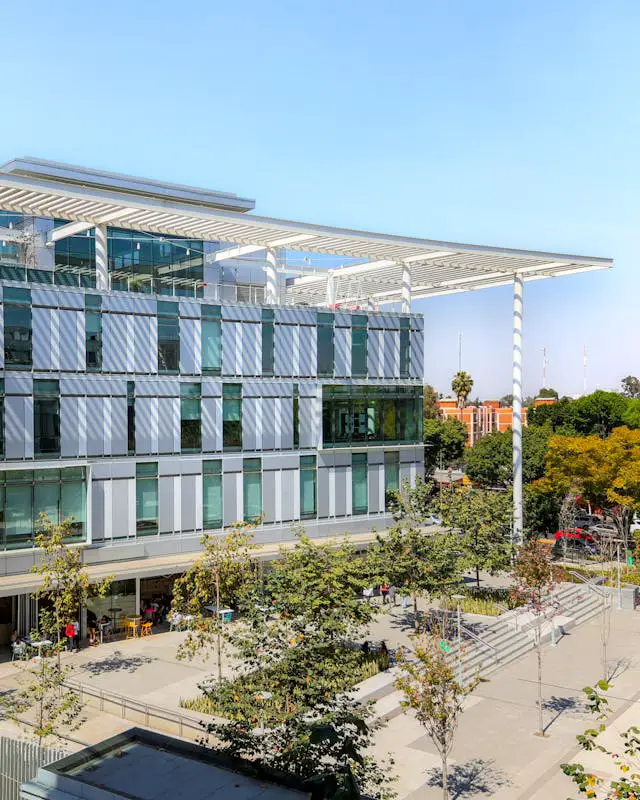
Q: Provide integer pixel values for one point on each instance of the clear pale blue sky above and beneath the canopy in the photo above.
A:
(493, 122)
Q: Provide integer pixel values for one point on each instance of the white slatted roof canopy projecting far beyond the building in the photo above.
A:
(436, 267)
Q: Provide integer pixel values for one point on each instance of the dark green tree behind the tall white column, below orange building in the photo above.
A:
(490, 461)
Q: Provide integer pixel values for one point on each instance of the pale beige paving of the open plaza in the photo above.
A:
(496, 753)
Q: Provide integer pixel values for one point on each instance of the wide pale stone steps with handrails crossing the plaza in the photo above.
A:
(487, 647)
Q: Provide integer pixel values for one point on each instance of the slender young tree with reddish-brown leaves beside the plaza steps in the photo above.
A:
(534, 576)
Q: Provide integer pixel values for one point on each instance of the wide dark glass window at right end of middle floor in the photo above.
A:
(371, 415)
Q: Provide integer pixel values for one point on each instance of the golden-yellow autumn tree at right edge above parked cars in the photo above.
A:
(603, 472)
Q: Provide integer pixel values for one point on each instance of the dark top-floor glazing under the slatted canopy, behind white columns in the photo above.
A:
(143, 262)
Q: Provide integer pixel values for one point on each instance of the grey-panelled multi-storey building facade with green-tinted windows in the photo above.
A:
(151, 393)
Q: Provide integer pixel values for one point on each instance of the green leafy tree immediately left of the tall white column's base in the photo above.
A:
(481, 520)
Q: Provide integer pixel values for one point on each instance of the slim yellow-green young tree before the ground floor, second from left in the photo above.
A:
(223, 572)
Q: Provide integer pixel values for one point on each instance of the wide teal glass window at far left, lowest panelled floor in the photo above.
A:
(26, 494)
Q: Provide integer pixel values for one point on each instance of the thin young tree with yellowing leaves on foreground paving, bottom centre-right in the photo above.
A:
(432, 691)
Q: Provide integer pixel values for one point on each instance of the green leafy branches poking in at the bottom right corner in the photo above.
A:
(626, 758)
